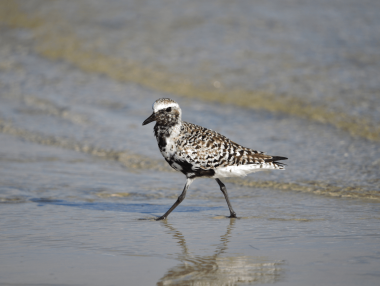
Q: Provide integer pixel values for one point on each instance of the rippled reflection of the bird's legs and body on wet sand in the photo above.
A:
(219, 269)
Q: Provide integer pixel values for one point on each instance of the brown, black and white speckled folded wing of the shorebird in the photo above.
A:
(207, 149)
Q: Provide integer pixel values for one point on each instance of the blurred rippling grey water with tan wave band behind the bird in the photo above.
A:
(303, 77)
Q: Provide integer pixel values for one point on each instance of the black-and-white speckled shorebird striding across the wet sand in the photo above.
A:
(199, 152)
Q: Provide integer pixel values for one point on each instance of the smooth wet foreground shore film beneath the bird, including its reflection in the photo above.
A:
(70, 219)
